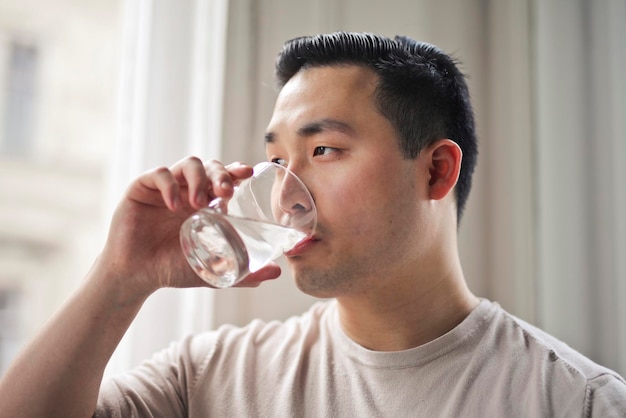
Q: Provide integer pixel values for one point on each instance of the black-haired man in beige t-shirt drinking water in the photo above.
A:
(382, 133)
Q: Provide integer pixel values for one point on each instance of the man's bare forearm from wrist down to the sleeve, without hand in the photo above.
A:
(59, 372)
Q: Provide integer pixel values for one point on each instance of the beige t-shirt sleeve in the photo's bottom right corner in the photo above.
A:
(606, 397)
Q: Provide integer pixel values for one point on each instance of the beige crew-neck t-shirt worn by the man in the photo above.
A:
(490, 365)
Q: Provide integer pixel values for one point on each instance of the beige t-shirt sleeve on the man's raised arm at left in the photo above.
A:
(160, 386)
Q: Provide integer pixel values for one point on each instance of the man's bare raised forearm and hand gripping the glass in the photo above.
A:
(142, 254)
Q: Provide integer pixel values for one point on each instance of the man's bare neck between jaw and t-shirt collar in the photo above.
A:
(407, 312)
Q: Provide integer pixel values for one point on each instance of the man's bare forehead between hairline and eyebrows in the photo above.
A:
(338, 92)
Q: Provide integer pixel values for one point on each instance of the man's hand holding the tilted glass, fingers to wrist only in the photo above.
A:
(143, 248)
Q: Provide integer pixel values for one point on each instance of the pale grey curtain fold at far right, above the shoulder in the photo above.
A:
(581, 153)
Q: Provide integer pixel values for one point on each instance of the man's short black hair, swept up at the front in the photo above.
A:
(421, 90)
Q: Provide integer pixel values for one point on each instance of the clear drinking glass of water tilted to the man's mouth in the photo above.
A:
(268, 215)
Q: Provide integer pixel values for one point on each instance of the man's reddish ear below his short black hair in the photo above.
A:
(445, 158)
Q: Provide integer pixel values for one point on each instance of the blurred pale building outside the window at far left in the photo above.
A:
(58, 79)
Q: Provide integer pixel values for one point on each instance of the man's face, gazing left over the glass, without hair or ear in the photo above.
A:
(326, 129)
